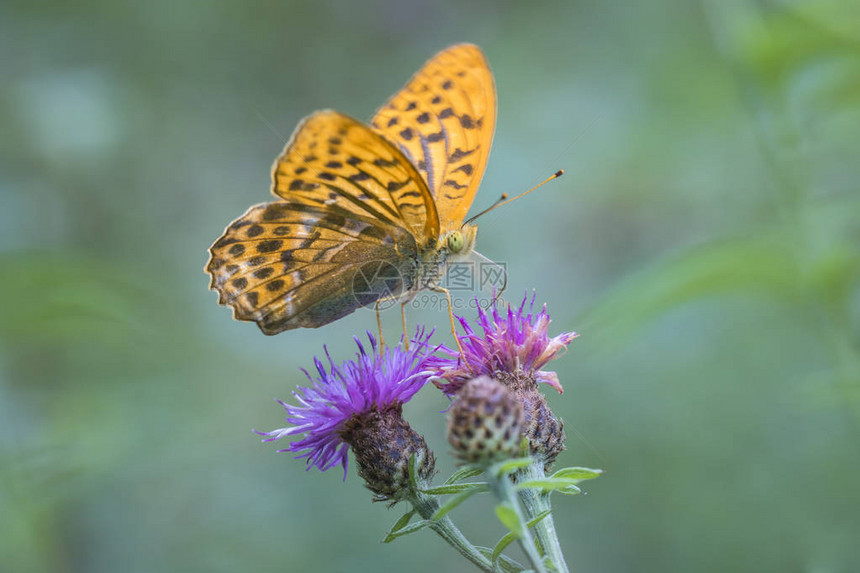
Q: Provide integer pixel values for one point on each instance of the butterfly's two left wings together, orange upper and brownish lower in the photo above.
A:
(354, 219)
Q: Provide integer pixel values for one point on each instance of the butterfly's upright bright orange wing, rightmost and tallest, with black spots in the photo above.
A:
(443, 121)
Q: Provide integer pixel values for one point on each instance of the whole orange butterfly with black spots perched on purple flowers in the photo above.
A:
(364, 213)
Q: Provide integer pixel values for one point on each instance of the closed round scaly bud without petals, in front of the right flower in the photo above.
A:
(486, 422)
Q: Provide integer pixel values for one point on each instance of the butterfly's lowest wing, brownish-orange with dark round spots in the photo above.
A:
(287, 265)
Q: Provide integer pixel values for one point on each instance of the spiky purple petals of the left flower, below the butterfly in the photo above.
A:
(371, 382)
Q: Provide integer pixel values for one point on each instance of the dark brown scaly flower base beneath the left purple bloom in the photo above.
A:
(383, 442)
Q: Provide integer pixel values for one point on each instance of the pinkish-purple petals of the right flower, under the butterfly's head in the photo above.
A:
(516, 340)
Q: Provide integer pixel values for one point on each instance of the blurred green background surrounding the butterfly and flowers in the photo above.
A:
(705, 242)
